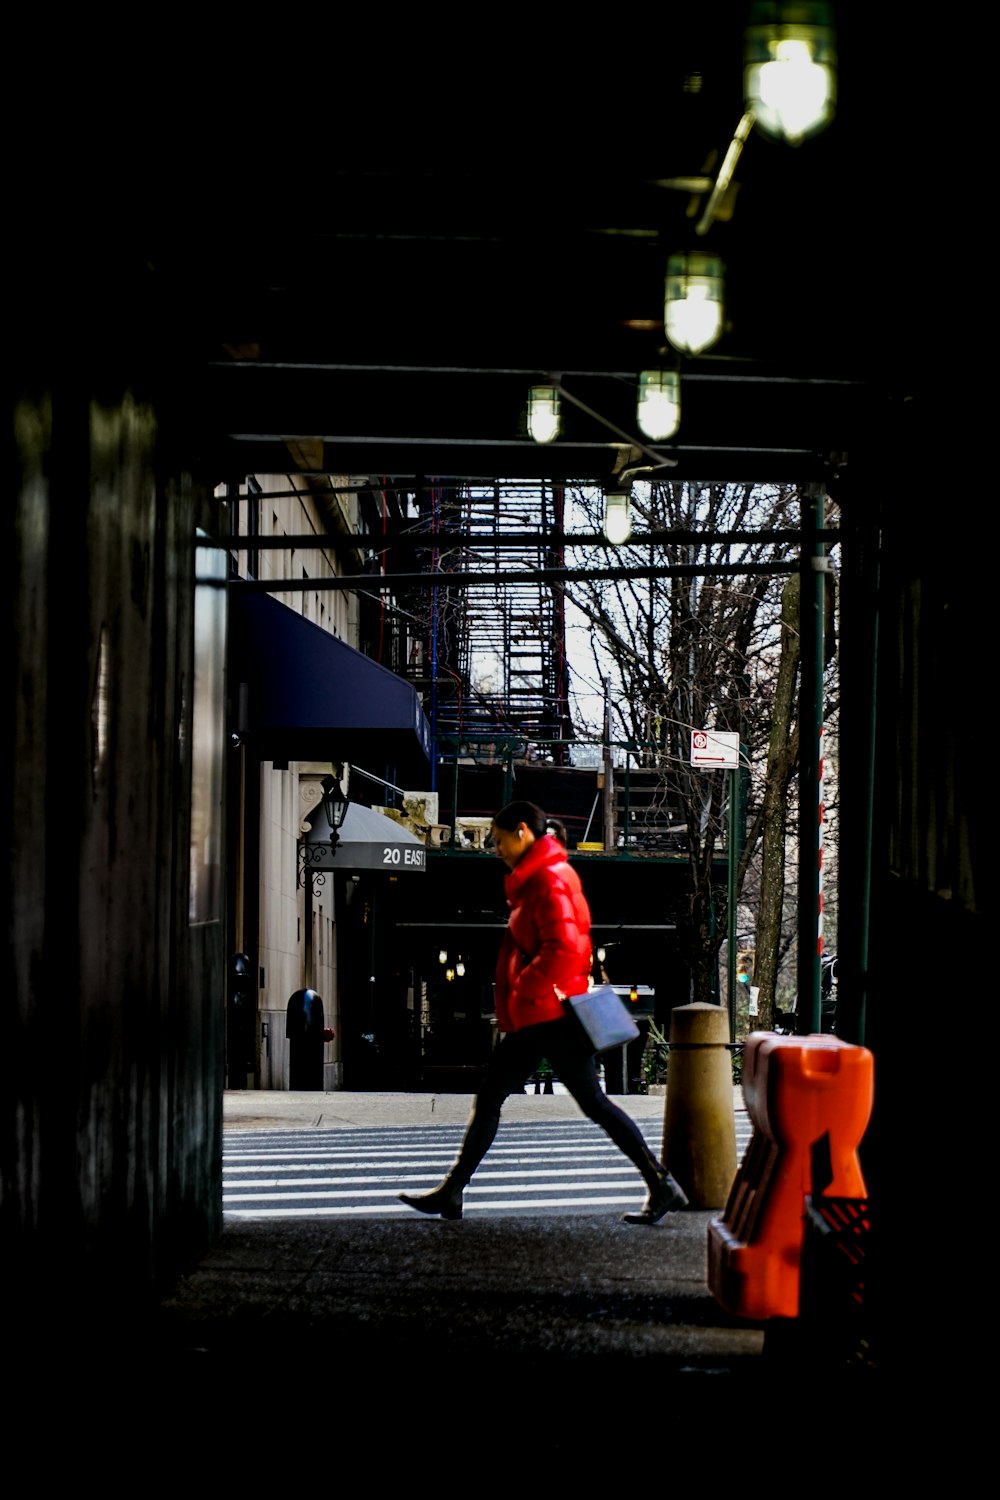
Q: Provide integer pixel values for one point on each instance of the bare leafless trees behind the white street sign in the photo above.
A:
(708, 644)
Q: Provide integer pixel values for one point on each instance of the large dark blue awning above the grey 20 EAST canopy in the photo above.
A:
(299, 694)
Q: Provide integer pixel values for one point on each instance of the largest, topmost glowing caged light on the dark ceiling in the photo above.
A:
(791, 68)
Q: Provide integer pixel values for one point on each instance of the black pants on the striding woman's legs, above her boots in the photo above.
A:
(518, 1055)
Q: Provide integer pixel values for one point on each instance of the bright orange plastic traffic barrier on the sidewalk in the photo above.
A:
(810, 1102)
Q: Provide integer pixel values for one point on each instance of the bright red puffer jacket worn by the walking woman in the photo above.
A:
(548, 940)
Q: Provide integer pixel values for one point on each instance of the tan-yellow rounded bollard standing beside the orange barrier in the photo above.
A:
(699, 1132)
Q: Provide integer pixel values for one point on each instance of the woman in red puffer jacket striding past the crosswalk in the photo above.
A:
(545, 956)
